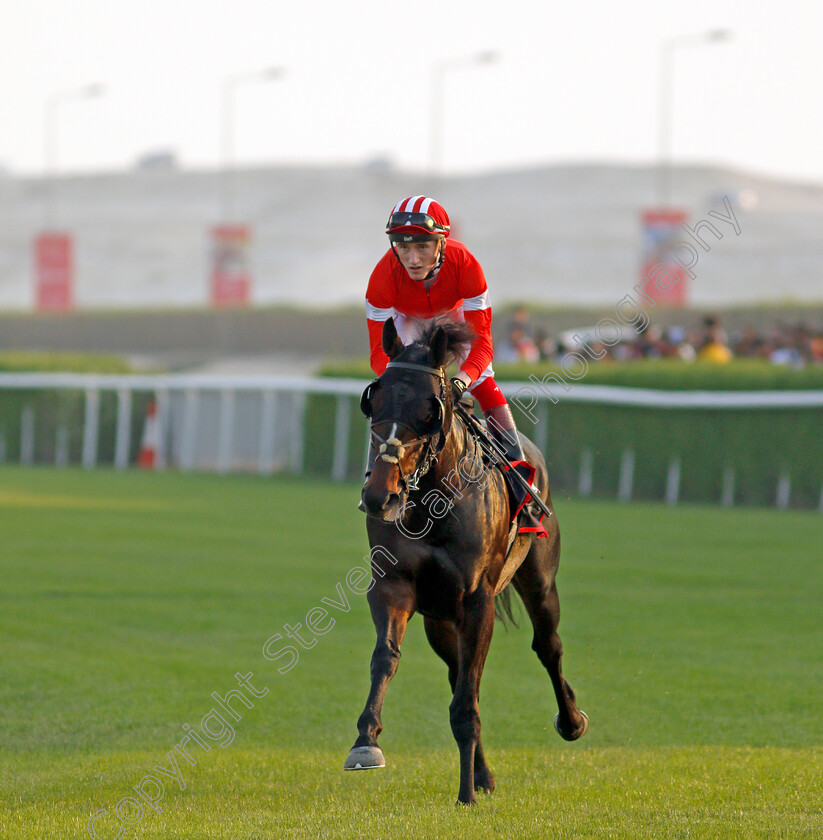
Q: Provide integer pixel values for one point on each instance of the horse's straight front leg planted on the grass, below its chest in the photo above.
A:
(474, 633)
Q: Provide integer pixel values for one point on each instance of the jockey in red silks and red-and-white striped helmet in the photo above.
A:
(419, 279)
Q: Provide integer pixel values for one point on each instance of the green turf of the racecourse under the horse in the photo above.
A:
(692, 638)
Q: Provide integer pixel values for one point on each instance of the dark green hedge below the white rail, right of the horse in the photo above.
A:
(757, 444)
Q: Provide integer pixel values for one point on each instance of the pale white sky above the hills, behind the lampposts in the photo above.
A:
(572, 82)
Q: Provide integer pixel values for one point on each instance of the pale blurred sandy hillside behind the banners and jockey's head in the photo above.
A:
(555, 236)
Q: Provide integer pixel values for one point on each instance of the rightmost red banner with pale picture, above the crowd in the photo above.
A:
(664, 276)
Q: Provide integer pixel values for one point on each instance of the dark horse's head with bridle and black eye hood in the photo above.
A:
(410, 410)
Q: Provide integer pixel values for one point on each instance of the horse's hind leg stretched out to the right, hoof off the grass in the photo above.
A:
(534, 580)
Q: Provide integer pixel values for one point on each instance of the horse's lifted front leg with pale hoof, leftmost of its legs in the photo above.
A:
(392, 604)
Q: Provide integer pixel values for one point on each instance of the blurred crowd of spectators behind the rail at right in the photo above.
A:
(796, 345)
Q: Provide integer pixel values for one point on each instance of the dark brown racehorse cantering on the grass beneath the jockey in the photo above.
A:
(444, 535)
